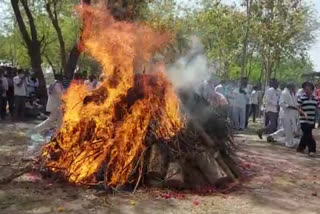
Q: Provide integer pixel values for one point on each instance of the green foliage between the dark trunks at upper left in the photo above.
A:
(13, 48)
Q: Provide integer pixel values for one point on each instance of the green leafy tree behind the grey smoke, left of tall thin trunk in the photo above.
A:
(220, 28)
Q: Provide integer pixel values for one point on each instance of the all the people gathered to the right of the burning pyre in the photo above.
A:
(289, 115)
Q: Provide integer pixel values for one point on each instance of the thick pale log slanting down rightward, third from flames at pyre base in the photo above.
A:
(210, 168)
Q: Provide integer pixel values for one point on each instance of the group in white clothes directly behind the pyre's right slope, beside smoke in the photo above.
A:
(238, 101)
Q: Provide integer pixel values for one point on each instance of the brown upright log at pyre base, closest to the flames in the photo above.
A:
(158, 161)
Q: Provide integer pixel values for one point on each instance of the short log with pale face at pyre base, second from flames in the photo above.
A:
(174, 177)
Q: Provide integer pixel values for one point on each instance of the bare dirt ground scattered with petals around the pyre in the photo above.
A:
(276, 181)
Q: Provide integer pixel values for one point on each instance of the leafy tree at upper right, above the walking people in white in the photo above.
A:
(282, 30)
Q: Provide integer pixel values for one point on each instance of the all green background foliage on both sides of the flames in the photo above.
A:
(280, 34)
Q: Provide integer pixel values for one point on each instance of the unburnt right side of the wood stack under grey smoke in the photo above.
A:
(200, 156)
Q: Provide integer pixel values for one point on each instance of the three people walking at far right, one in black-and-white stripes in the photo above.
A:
(291, 117)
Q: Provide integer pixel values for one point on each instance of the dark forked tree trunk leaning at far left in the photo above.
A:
(33, 44)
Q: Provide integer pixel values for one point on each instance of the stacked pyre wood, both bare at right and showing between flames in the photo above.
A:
(197, 156)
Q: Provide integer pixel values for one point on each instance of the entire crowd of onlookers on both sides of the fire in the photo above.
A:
(289, 116)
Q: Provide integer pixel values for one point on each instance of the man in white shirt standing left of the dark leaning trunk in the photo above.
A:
(20, 94)
